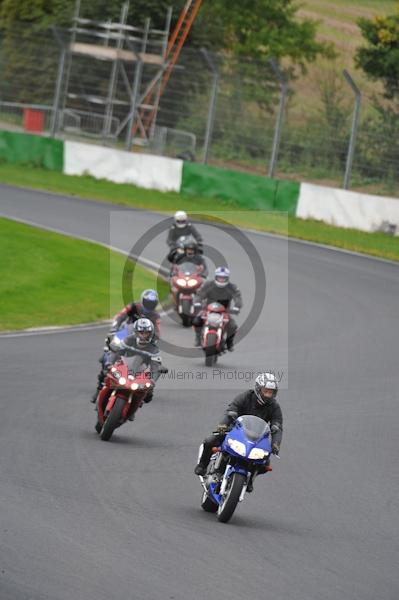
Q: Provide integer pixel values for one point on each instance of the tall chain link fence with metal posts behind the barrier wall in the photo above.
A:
(215, 109)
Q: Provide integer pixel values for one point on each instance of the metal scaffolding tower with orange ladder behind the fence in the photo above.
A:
(141, 62)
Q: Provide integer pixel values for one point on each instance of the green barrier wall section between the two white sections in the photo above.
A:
(249, 191)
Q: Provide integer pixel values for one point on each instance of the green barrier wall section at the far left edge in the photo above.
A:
(32, 149)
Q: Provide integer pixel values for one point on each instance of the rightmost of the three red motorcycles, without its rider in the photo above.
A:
(213, 335)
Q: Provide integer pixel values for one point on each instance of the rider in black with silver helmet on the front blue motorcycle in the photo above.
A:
(261, 402)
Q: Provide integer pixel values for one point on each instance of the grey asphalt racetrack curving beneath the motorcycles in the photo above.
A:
(82, 519)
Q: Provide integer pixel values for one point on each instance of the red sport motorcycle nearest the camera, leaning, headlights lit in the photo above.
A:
(126, 386)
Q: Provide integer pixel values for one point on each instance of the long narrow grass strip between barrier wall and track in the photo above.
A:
(375, 244)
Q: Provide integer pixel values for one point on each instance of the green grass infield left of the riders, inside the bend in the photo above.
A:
(49, 279)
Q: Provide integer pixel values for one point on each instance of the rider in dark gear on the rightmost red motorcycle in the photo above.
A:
(223, 291)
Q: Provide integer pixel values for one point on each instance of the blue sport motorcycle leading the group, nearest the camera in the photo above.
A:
(244, 453)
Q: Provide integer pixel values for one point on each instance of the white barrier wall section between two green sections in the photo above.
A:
(143, 170)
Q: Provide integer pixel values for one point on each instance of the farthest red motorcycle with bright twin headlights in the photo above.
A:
(185, 282)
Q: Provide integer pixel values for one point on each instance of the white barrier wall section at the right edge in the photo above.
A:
(346, 209)
